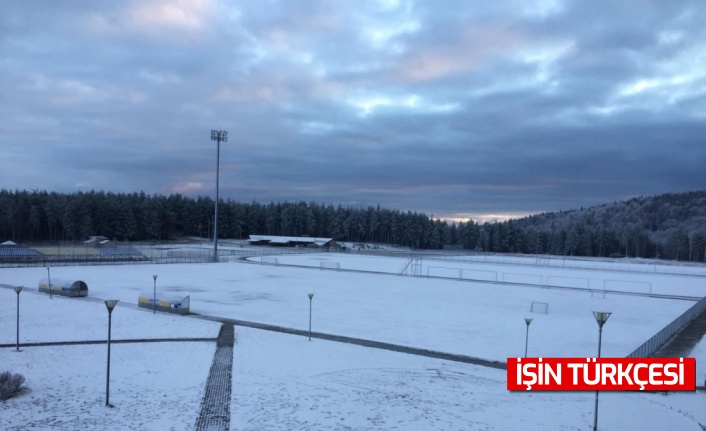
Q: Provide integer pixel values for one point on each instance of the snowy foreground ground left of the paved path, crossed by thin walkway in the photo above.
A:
(154, 386)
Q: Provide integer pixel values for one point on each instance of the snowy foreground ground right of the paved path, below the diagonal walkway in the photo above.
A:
(293, 384)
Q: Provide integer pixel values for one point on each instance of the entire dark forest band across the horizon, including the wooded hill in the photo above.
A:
(670, 226)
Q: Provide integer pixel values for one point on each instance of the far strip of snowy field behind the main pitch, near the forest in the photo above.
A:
(621, 275)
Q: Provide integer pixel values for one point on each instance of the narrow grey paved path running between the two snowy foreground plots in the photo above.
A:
(215, 405)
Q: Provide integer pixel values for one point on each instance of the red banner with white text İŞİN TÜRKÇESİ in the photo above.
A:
(601, 374)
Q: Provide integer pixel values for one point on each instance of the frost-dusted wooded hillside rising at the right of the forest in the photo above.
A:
(669, 226)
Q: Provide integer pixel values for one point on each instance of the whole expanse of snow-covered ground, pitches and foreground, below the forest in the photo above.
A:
(286, 382)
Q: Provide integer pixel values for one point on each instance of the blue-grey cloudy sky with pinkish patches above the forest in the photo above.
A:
(458, 109)
